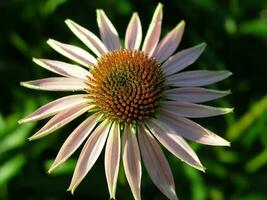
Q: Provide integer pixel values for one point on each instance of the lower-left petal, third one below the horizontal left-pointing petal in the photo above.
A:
(74, 141)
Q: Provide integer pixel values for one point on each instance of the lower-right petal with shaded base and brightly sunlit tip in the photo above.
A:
(191, 130)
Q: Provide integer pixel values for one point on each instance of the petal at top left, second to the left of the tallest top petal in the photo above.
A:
(108, 33)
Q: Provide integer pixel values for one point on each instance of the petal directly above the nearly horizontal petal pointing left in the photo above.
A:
(62, 68)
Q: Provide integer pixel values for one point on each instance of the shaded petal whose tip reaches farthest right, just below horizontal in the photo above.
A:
(192, 110)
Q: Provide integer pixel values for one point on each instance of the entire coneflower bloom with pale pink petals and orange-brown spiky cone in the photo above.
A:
(130, 92)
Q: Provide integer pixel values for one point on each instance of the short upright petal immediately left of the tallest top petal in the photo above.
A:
(133, 35)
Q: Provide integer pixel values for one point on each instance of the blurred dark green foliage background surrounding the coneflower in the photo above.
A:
(236, 34)
